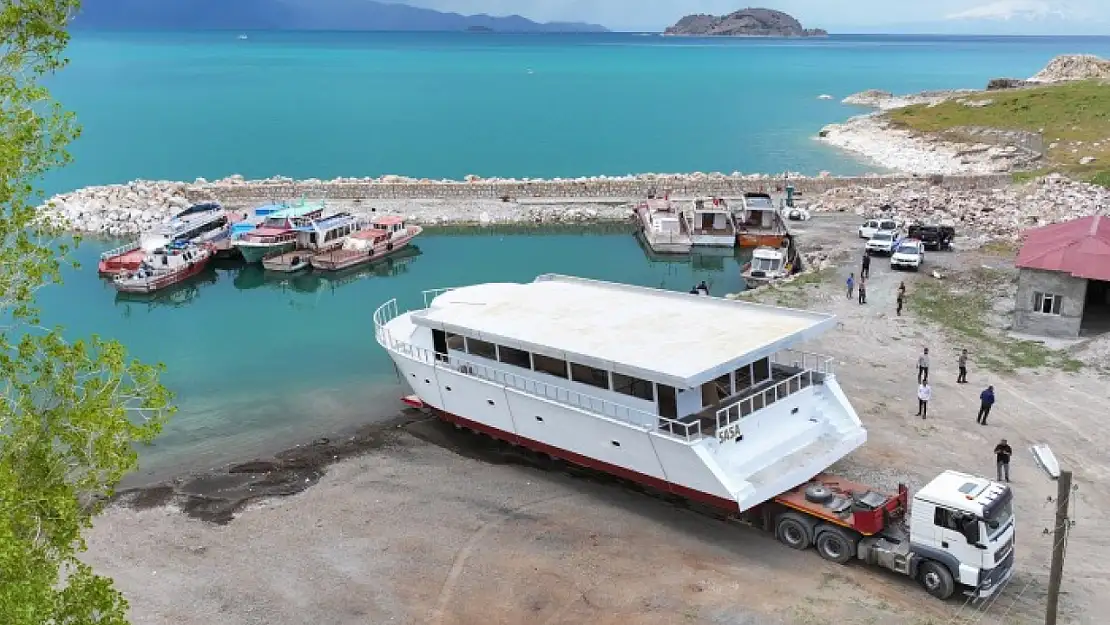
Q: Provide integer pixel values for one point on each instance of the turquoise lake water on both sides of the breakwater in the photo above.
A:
(258, 365)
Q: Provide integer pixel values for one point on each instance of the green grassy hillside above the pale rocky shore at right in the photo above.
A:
(1075, 119)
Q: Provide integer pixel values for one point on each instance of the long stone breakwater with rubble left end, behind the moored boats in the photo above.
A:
(128, 209)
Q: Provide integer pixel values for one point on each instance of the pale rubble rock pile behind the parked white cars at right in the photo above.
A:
(980, 216)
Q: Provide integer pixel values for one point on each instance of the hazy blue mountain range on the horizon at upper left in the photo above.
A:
(299, 15)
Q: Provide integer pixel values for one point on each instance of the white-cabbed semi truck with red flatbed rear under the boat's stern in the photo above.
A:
(956, 535)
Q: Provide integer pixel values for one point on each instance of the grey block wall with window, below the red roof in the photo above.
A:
(1066, 325)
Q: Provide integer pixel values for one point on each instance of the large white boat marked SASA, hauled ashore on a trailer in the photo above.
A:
(619, 379)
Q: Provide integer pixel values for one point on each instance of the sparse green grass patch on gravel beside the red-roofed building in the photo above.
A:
(963, 309)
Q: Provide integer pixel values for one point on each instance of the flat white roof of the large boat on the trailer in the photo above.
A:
(678, 339)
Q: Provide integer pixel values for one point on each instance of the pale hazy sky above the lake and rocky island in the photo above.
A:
(1018, 17)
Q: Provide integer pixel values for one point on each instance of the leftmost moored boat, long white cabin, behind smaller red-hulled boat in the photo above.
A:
(200, 224)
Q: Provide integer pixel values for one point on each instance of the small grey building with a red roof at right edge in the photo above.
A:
(1064, 285)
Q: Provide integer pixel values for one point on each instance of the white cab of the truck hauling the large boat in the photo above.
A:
(962, 535)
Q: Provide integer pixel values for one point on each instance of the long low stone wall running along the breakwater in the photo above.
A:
(250, 191)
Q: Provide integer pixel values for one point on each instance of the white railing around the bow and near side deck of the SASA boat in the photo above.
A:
(638, 418)
